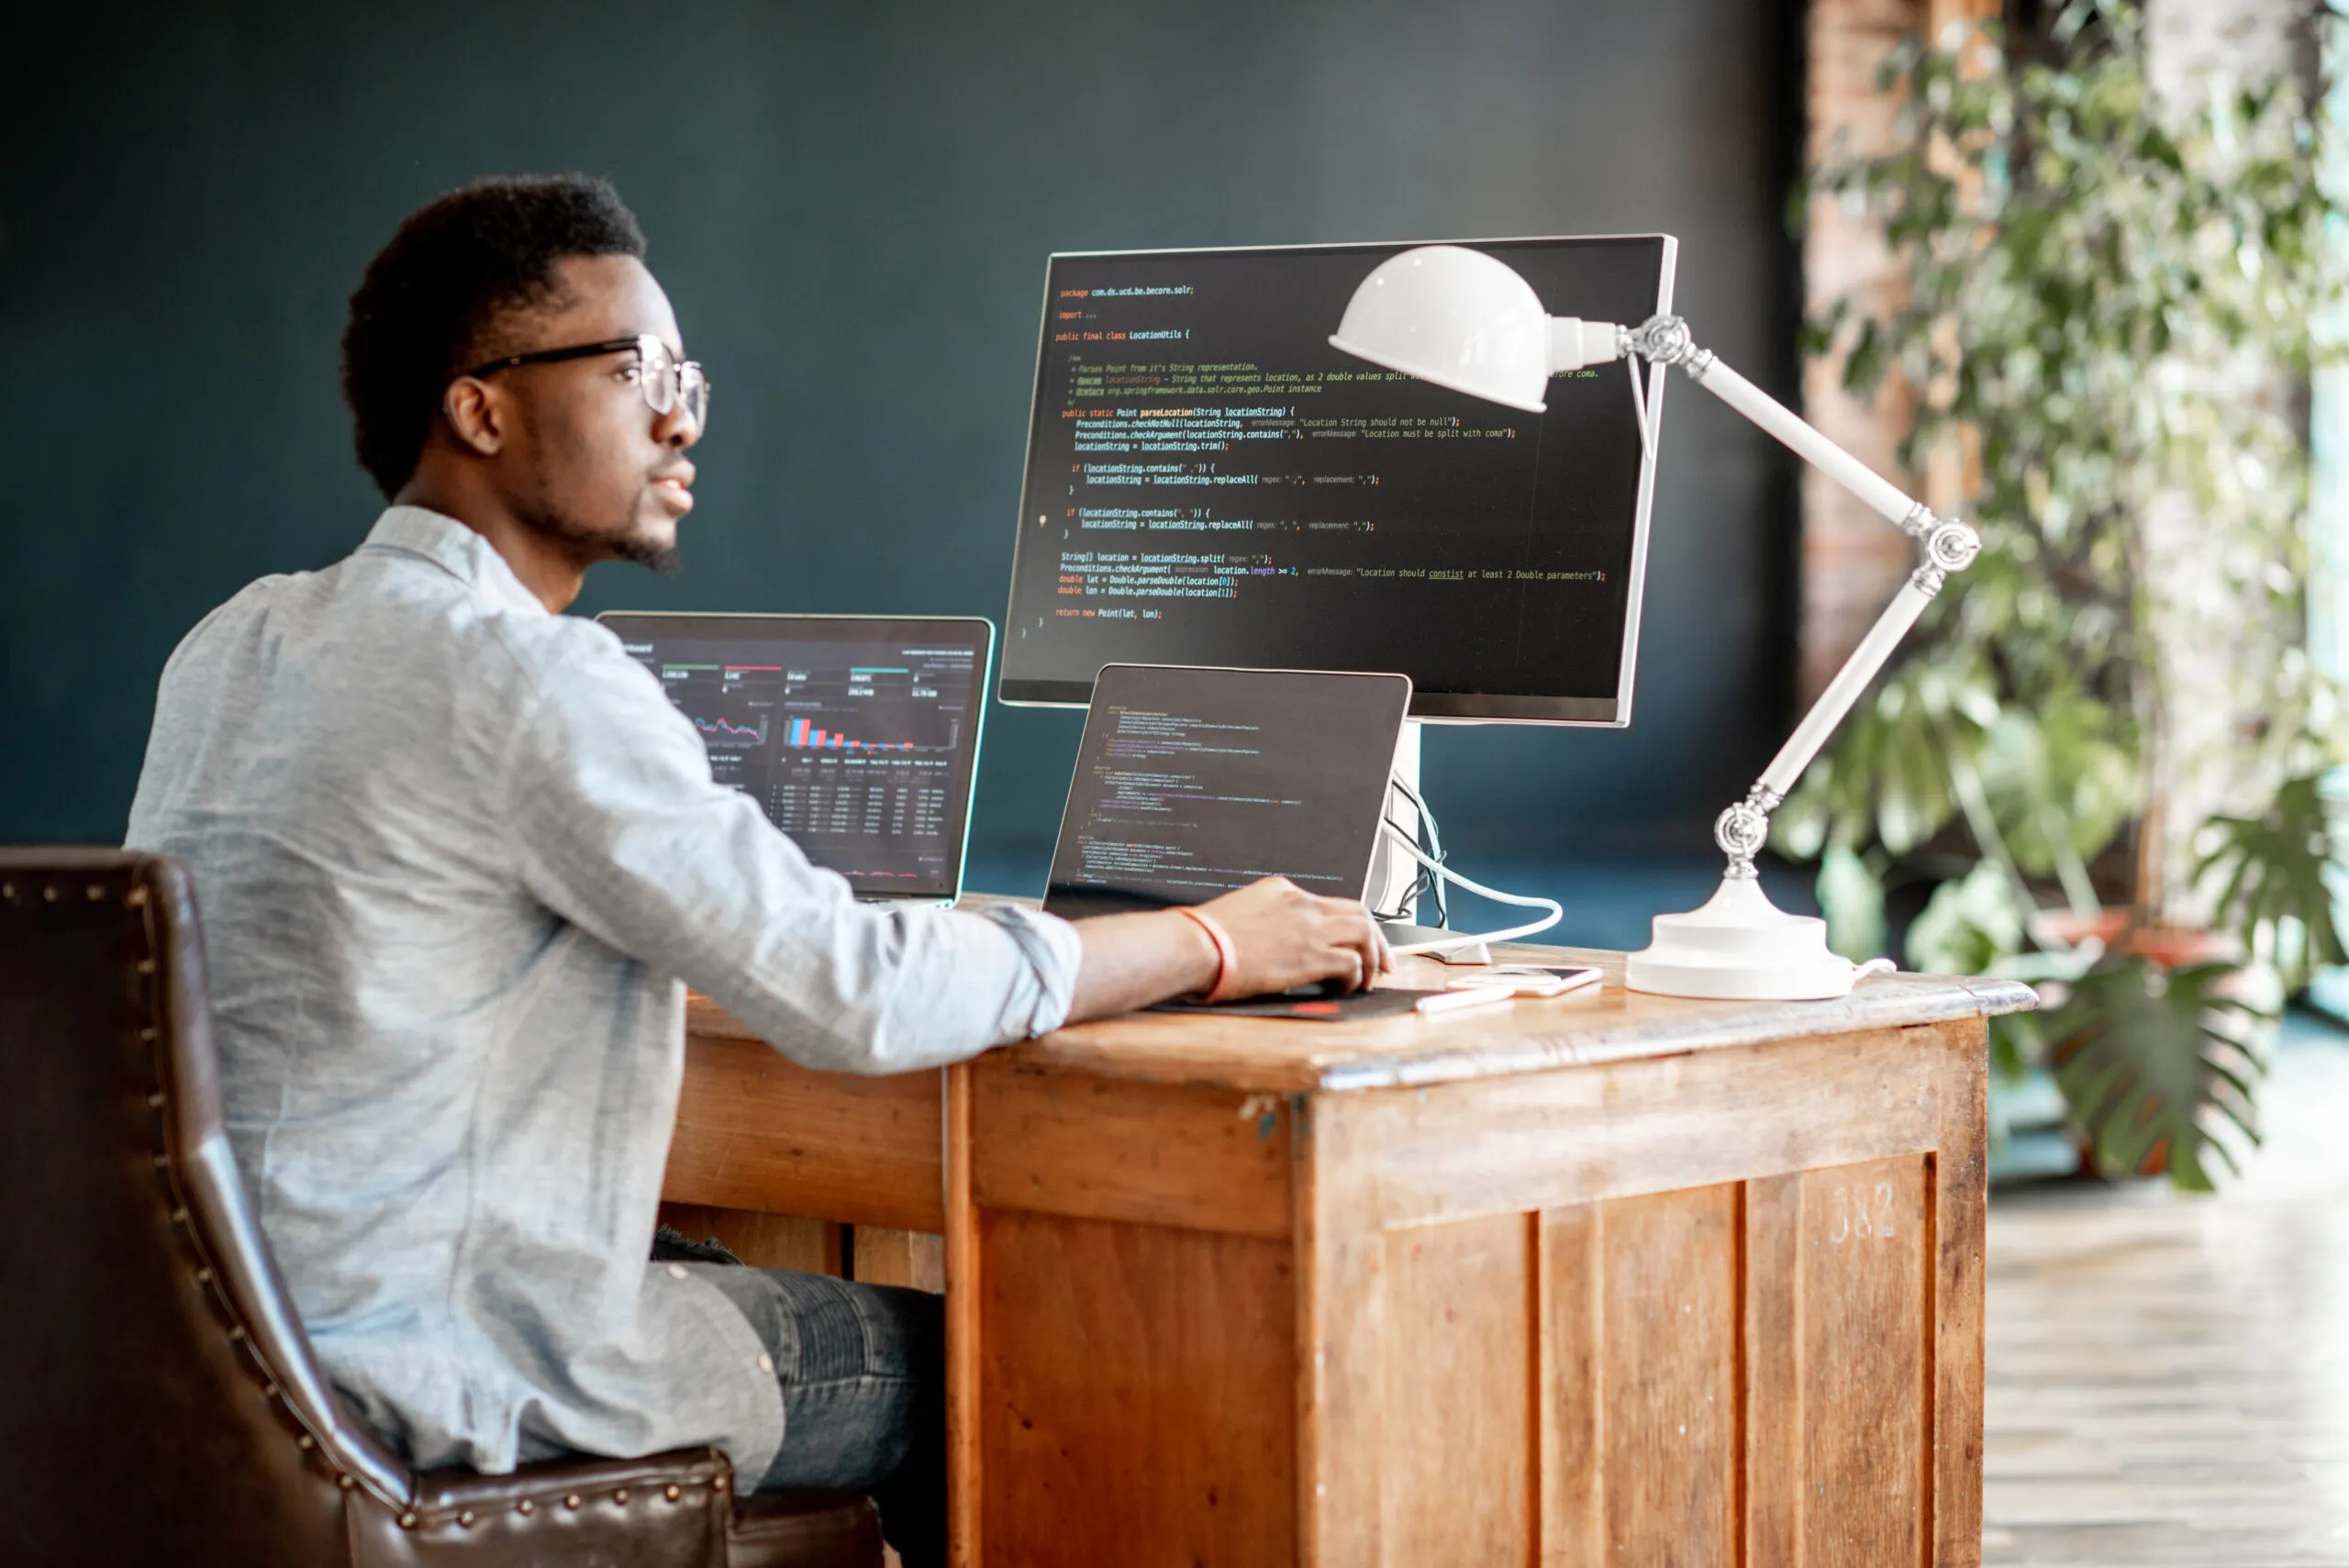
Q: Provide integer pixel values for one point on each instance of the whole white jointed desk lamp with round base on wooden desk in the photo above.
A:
(1469, 323)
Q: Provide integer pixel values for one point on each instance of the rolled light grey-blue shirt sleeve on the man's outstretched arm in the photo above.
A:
(624, 832)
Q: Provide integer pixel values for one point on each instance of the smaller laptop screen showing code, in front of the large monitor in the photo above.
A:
(1194, 783)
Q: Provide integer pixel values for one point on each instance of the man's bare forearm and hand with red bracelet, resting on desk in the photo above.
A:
(1279, 933)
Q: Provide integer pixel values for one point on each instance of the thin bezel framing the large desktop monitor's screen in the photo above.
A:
(1427, 708)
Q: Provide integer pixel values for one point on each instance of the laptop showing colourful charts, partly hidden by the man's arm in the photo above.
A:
(859, 736)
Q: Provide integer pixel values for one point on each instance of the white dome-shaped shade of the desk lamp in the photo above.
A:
(1458, 318)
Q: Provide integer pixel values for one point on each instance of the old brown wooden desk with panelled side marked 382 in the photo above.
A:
(1598, 1280)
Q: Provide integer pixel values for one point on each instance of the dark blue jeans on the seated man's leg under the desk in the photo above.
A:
(863, 1372)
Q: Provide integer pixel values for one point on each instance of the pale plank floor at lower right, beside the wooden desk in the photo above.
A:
(2169, 1377)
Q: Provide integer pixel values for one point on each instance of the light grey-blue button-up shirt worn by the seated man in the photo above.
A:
(459, 860)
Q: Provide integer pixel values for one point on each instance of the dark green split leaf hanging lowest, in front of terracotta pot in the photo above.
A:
(2151, 1062)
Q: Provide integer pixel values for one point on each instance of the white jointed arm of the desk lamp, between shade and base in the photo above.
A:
(1944, 546)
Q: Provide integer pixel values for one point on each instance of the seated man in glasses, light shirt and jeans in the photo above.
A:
(462, 860)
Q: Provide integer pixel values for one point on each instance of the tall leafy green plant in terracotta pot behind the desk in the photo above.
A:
(2096, 288)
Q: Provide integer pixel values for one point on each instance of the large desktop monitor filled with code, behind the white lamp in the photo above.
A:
(1211, 482)
